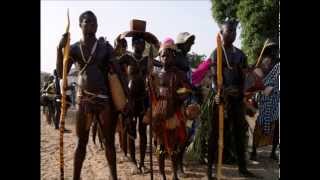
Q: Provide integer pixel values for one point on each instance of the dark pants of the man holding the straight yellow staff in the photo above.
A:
(235, 121)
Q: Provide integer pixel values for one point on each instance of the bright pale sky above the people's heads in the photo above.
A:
(164, 19)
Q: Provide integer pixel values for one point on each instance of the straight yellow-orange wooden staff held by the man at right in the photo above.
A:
(220, 106)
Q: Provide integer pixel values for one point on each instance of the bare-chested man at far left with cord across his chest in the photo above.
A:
(92, 58)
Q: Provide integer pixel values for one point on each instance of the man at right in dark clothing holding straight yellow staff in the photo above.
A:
(234, 62)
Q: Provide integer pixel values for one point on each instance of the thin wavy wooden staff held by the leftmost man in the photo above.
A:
(66, 51)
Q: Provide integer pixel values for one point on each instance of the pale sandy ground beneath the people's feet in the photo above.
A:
(95, 166)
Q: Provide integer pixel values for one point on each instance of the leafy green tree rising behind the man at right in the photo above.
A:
(259, 20)
